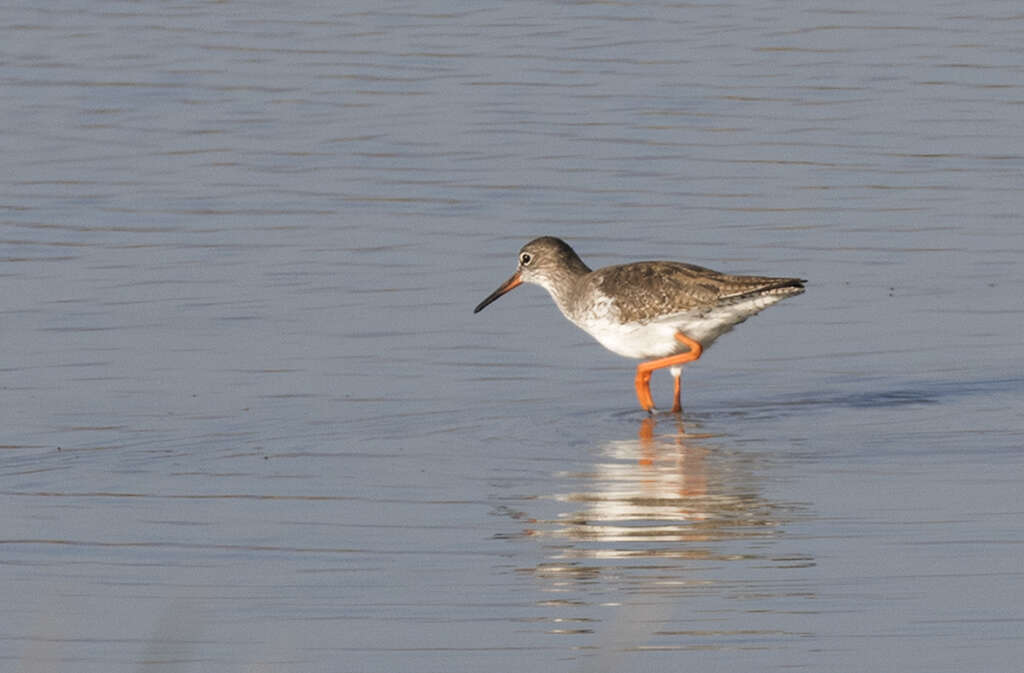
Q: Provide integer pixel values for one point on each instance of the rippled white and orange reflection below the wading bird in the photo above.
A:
(669, 497)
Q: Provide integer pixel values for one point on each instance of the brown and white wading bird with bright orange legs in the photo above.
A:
(664, 313)
